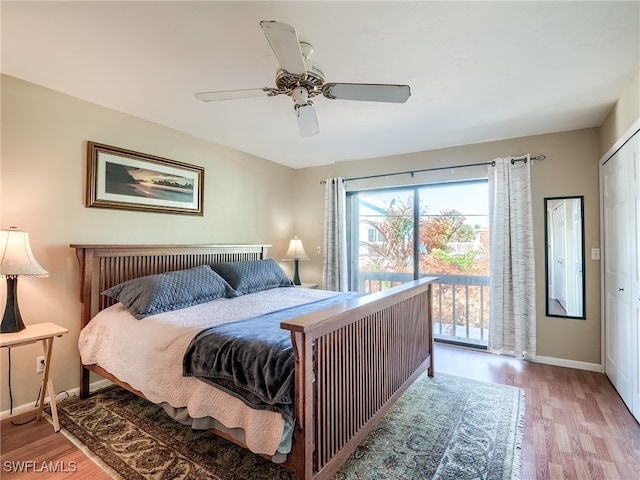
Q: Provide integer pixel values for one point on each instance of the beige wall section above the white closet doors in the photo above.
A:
(622, 116)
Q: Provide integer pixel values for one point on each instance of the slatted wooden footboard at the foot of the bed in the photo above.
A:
(363, 355)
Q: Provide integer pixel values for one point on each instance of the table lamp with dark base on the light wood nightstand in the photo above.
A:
(16, 260)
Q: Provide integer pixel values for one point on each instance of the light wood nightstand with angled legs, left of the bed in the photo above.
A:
(44, 332)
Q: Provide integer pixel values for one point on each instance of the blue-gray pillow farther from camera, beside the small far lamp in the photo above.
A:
(253, 275)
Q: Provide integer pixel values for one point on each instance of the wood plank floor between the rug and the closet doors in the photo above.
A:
(576, 425)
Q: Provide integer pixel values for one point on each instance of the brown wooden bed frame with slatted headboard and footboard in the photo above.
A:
(352, 359)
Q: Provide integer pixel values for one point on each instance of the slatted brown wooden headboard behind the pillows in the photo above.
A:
(103, 266)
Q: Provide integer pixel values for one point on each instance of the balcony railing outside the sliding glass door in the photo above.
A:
(460, 303)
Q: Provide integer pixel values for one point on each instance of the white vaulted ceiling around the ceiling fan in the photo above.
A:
(478, 71)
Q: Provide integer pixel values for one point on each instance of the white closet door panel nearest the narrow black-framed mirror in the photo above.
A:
(618, 251)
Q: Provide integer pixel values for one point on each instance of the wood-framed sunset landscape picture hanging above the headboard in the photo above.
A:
(118, 178)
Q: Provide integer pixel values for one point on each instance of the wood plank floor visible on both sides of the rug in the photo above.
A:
(576, 425)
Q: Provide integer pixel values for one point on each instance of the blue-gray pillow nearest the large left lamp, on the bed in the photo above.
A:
(164, 292)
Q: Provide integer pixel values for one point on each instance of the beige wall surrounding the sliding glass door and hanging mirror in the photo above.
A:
(571, 168)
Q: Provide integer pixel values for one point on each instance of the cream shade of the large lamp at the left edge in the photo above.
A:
(16, 258)
